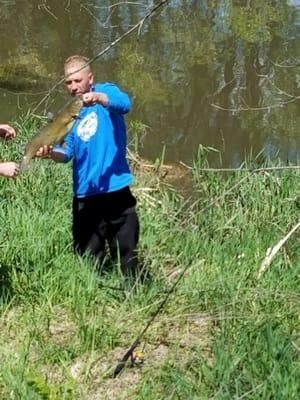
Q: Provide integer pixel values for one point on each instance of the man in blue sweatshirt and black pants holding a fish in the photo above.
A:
(103, 205)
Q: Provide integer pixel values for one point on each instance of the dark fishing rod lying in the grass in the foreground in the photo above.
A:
(129, 353)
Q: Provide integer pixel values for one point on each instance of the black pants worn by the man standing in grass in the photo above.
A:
(107, 217)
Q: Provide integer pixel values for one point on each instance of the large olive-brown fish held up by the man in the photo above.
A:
(54, 132)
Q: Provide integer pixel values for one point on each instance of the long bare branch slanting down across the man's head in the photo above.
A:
(112, 44)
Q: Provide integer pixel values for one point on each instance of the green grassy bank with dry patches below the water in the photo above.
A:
(224, 334)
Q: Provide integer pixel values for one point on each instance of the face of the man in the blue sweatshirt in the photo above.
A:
(78, 82)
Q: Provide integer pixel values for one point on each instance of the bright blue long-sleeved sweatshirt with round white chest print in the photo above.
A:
(97, 144)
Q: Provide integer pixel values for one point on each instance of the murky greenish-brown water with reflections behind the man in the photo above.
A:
(223, 74)
